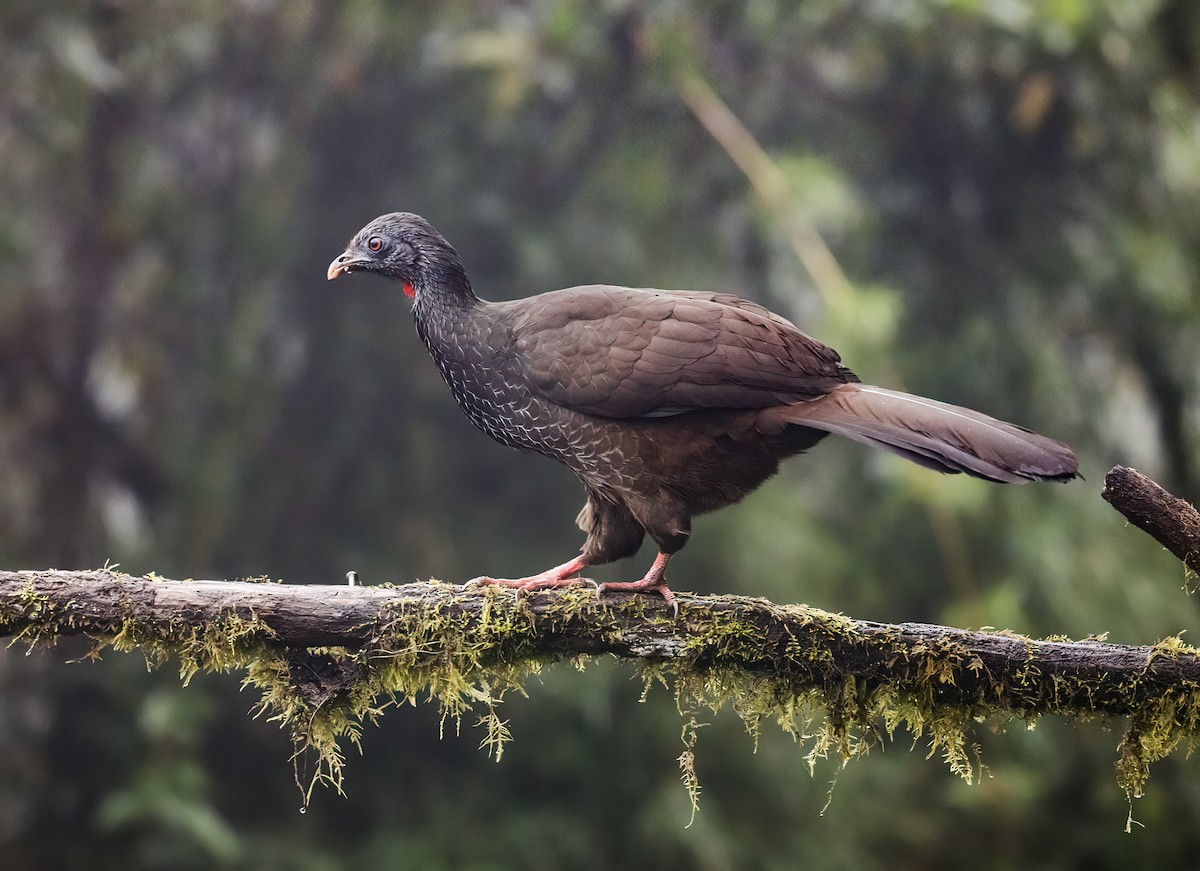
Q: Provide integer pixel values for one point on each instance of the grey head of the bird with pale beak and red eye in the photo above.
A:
(406, 248)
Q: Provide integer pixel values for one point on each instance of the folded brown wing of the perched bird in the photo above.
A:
(628, 353)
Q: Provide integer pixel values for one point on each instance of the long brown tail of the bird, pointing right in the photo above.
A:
(938, 435)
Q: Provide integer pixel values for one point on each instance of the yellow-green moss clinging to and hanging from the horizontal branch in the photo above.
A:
(467, 663)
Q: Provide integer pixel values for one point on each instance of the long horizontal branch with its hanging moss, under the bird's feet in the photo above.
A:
(328, 659)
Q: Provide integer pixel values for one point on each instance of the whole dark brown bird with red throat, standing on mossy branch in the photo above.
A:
(665, 404)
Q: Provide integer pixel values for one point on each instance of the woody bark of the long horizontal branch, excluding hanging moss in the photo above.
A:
(1021, 675)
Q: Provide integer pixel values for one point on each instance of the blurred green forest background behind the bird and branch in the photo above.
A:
(993, 203)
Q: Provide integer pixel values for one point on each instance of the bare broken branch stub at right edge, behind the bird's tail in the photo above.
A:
(1169, 520)
